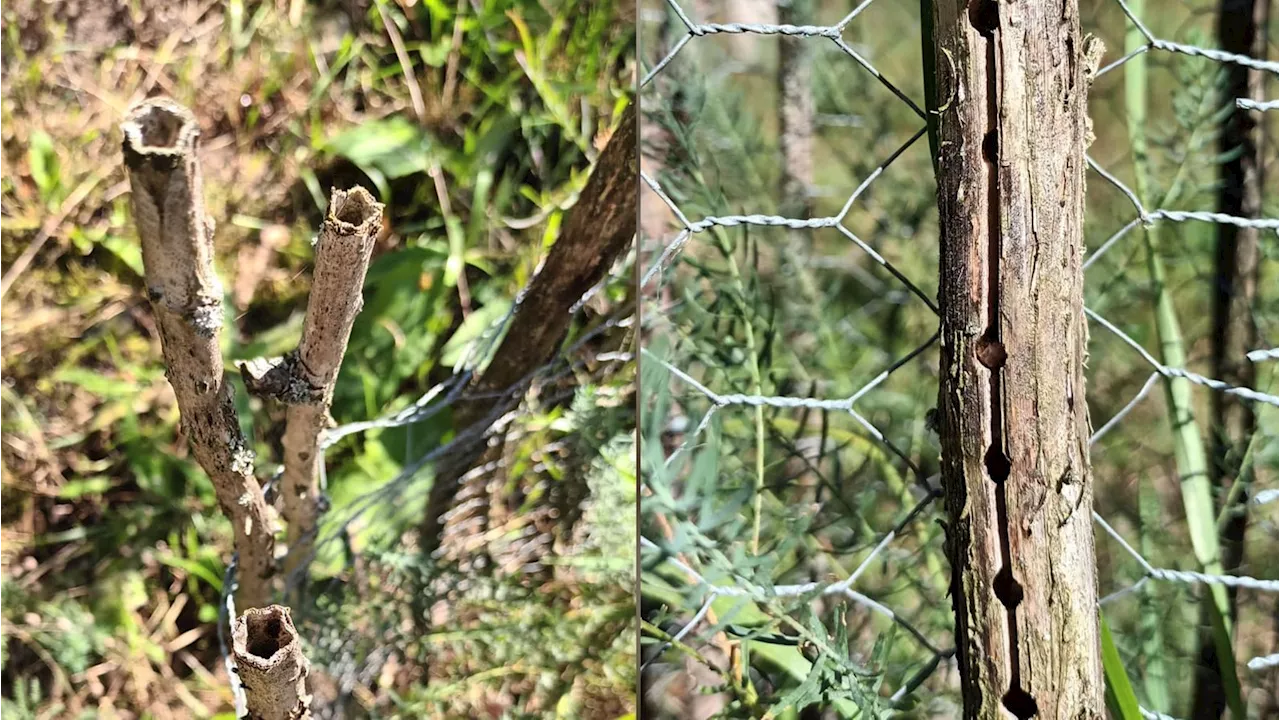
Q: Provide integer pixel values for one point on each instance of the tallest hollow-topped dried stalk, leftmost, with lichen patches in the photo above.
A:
(161, 145)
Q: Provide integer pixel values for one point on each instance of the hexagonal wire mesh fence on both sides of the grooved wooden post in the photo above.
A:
(789, 370)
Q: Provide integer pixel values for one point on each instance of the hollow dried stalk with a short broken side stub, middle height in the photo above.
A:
(305, 380)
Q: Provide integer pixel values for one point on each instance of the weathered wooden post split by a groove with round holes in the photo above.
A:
(1012, 94)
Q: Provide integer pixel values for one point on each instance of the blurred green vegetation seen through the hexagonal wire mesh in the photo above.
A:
(775, 312)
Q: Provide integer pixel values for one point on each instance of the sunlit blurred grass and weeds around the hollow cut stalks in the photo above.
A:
(477, 124)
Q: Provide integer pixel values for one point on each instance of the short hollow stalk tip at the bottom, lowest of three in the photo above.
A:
(271, 664)
